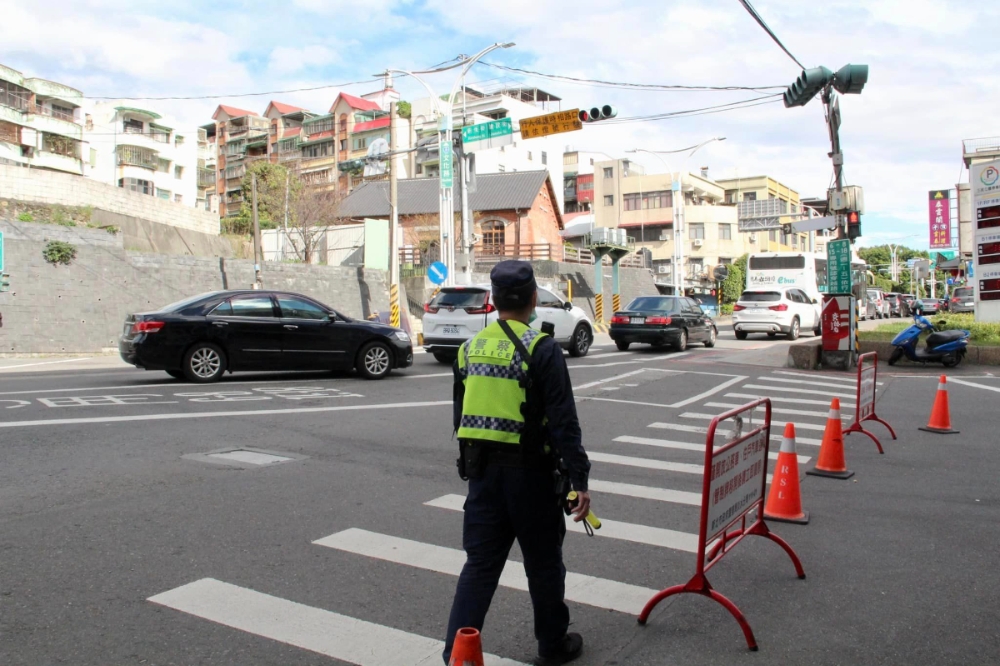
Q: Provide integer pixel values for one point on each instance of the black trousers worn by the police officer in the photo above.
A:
(512, 503)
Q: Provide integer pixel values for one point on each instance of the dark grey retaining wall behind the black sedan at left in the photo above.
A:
(81, 307)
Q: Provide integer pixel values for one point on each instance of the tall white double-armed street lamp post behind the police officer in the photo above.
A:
(446, 201)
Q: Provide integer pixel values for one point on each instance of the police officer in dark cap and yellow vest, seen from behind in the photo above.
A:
(514, 418)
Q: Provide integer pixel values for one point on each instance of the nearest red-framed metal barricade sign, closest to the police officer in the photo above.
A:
(735, 480)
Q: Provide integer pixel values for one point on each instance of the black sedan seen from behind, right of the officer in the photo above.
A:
(662, 320)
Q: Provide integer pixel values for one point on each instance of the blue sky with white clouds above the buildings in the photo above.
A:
(932, 76)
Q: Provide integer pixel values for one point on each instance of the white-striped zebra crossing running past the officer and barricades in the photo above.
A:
(675, 464)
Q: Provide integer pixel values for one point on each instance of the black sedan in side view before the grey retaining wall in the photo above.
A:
(202, 337)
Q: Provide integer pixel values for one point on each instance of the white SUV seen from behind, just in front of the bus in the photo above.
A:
(776, 311)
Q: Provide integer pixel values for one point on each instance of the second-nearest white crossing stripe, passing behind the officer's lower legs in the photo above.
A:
(589, 590)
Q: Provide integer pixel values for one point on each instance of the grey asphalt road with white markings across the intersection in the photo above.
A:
(125, 539)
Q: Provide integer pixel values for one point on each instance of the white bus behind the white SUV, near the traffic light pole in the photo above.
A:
(801, 270)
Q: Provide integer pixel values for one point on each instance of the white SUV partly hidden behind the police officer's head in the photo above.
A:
(456, 314)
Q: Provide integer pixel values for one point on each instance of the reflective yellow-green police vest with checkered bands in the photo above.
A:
(493, 371)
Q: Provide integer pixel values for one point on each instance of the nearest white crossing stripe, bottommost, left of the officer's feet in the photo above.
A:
(314, 629)
